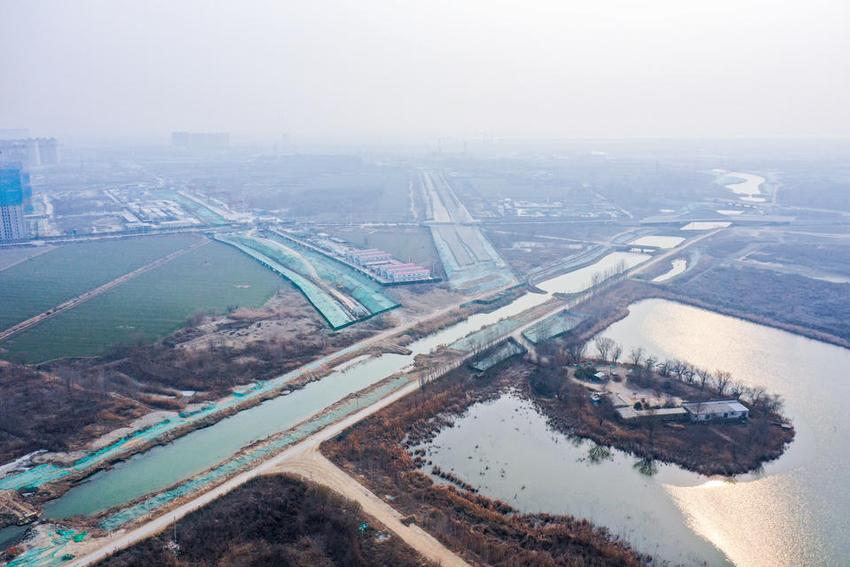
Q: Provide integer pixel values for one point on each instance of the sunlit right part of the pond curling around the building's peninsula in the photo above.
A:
(796, 511)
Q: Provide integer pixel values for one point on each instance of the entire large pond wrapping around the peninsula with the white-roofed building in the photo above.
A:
(796, 511)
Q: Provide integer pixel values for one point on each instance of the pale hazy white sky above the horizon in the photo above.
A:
(385, 71)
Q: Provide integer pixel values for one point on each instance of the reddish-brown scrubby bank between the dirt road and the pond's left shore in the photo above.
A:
(481, 530)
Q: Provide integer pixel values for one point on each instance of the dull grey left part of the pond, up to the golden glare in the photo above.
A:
(506, 450)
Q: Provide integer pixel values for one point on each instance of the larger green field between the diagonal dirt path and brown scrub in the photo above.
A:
(151, 306)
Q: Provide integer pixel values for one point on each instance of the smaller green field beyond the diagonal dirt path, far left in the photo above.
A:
(42, 282)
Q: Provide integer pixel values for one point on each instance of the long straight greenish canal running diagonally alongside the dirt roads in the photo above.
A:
(165, 465)
